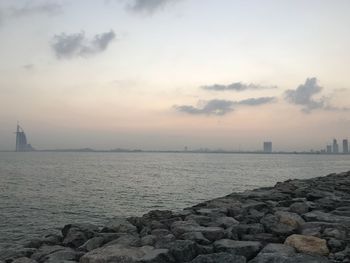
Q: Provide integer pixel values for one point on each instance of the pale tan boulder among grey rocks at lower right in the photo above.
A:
(308, 244)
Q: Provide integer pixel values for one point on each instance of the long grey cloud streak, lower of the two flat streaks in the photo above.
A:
(220, 107)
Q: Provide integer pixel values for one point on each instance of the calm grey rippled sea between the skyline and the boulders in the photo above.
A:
(40, 191)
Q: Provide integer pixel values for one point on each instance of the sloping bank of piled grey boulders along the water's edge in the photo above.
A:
(294, 221)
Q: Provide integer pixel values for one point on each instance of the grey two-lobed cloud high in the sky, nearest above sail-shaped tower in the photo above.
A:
(77, 45)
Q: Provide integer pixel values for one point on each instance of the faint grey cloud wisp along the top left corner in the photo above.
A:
(47, 8)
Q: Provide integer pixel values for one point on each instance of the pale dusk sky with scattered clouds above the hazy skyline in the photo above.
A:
(165, 74)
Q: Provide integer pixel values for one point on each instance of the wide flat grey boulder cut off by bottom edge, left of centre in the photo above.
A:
(116, 253)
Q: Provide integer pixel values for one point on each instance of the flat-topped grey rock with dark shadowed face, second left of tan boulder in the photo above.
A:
(248, 249)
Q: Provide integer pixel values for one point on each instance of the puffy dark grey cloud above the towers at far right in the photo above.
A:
(304, 96)
